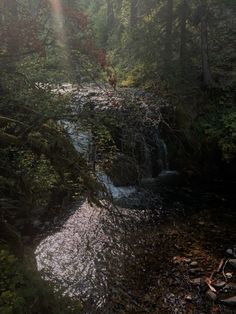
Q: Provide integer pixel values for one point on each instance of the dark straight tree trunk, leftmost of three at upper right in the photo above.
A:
(168, 40)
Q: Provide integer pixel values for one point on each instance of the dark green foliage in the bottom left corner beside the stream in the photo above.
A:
(22, 291)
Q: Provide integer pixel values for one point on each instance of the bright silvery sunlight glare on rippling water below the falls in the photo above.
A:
(90, 253)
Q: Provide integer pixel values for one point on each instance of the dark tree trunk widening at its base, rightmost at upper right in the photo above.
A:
(206, 72)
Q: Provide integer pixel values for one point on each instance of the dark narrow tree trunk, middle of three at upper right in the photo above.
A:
(183, 22)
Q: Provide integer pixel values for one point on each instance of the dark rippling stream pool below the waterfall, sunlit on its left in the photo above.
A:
(137, 253)
